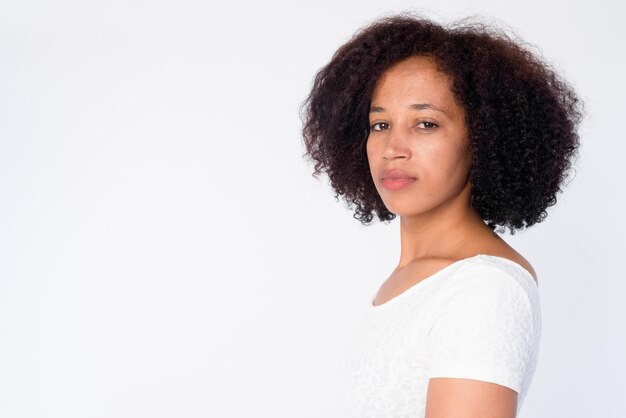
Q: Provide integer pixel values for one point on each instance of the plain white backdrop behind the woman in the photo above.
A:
(165, 251)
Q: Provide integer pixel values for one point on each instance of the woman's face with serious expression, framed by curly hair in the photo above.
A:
(417, 127)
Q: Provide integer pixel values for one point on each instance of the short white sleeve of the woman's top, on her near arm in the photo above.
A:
(482, 329)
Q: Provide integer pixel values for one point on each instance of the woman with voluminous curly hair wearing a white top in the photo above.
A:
(457, 130)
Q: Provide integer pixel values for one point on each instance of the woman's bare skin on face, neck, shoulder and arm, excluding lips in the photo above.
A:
(438, 225)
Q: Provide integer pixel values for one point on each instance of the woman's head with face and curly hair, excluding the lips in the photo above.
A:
(504, 138)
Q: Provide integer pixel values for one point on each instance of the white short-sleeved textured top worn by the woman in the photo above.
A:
(477, 318)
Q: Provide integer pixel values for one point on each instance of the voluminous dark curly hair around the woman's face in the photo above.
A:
(521, 116)
